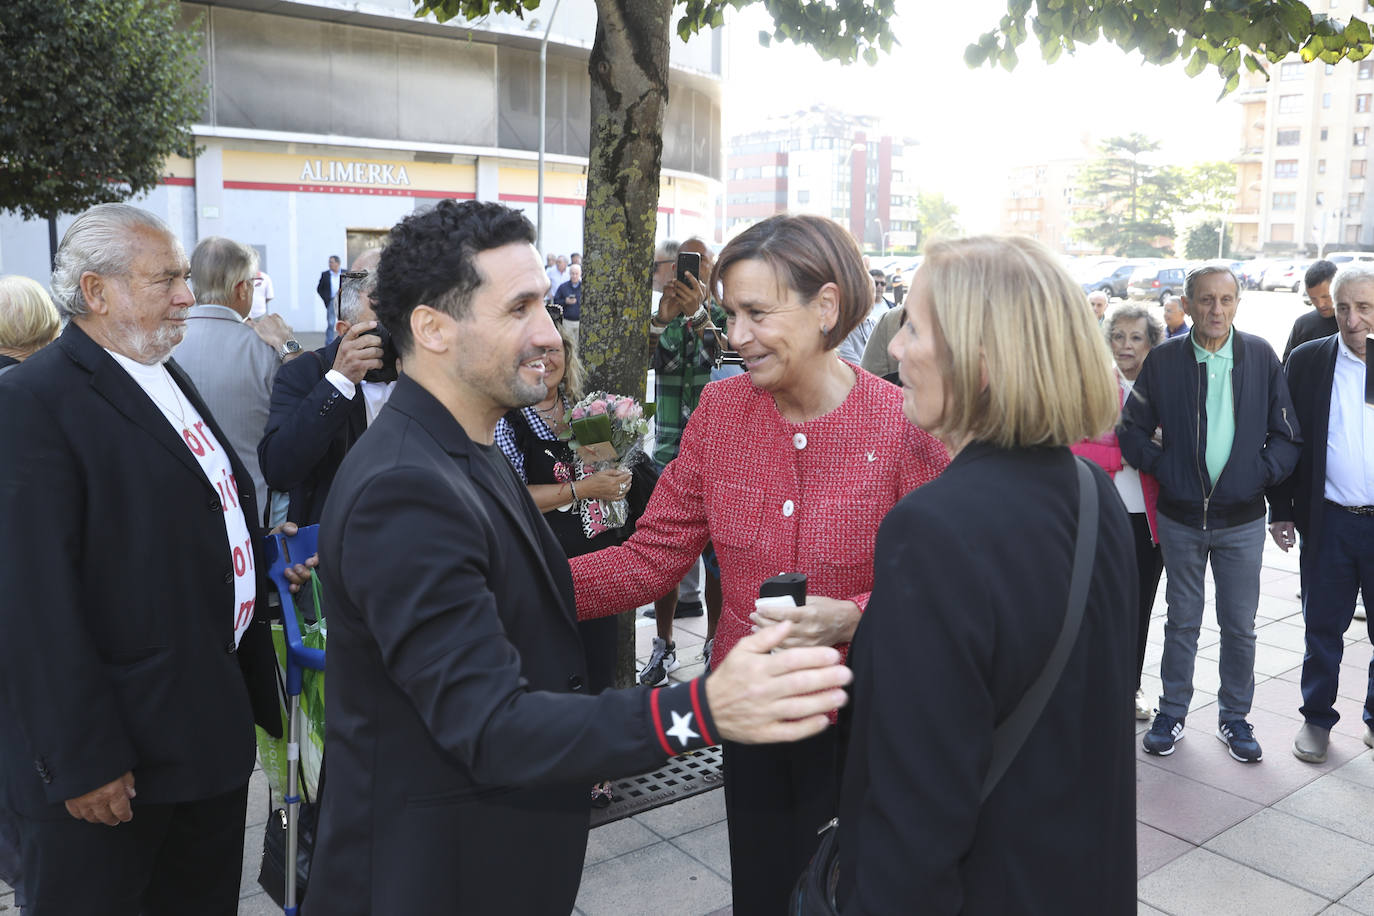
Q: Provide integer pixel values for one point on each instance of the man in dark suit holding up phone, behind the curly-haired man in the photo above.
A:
(324, 400)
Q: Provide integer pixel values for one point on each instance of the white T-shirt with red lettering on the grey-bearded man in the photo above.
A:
(215, 463)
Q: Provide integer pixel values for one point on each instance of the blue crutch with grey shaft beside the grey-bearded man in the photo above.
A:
(286, 551)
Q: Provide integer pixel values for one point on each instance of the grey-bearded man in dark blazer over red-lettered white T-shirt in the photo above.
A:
(134, 660)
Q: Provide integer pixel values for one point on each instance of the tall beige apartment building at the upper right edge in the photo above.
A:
(1305, 157)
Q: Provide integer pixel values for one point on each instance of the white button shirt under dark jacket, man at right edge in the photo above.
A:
(1350, 435)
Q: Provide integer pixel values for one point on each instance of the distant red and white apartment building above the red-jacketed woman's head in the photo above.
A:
(826, 163)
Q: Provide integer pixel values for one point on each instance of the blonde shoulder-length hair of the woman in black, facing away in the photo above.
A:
(1024, 359)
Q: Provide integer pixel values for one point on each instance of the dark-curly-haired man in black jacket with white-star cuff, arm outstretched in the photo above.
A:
(461, 734)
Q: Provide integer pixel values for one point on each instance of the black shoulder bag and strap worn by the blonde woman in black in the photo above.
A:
(820, 884)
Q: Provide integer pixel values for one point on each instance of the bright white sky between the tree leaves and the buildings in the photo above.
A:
(975, 126)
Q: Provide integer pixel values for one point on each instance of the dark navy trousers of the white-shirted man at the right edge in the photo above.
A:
(1331, 580)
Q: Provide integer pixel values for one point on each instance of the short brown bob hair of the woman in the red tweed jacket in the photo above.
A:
(806, 252)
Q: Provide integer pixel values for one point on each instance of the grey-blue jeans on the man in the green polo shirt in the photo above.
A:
(1236, 569)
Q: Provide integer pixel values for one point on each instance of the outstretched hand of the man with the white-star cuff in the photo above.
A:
(762, 697)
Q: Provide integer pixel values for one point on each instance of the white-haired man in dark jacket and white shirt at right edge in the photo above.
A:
(1329, 501)
